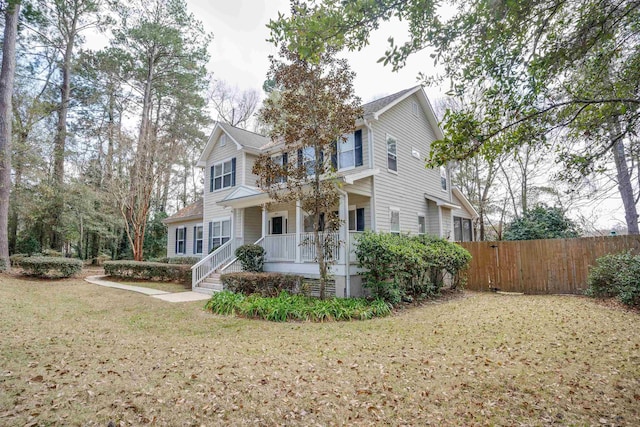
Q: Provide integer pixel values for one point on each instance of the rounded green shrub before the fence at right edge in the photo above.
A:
(616, 275)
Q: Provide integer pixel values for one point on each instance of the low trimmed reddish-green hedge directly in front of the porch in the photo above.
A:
(265, 284)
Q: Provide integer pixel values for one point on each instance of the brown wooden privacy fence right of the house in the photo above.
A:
(553, 266)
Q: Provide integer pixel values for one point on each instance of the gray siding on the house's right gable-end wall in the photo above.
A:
(405, 189)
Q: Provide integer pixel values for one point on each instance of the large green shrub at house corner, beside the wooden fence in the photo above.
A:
(400, 266)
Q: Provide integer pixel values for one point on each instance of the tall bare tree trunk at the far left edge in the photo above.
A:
(7, 77)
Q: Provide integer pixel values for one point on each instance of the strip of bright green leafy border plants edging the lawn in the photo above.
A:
(287, 307)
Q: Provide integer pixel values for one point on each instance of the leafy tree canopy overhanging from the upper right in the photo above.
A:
(541, 71)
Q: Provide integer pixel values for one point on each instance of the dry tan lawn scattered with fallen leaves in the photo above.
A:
(77, 354)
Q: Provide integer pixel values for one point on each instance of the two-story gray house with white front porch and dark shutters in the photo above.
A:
(385, 187)
